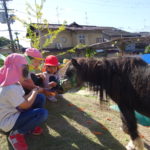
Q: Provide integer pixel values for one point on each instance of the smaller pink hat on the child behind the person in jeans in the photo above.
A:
(35, 53)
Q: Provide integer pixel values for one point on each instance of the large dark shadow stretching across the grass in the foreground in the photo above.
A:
(68, 137)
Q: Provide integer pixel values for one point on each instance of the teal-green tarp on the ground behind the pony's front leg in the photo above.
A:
(141, 119)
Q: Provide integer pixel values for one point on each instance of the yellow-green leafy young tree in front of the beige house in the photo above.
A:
(34, 29)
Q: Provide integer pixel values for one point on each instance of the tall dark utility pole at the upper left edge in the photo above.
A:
(8, 24)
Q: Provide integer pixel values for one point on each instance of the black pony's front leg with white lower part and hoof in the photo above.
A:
(130, 127)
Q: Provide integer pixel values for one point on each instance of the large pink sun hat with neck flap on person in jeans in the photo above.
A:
(11, 72)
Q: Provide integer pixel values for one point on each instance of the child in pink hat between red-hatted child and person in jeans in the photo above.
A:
(34, 58)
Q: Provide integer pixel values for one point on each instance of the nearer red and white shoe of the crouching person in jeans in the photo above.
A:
(17, 141)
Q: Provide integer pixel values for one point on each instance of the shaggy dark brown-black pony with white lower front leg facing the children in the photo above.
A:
(125, 79)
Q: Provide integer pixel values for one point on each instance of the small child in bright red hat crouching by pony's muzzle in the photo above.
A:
(50, 76)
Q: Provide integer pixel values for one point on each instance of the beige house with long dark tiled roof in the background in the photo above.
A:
(75, 34)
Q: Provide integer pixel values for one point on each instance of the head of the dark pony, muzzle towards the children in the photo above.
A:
(70, 76)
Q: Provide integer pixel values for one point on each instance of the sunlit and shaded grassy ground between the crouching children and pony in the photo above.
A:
(71, 124)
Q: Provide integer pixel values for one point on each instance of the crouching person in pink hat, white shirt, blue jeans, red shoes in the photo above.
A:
(19, 114)
